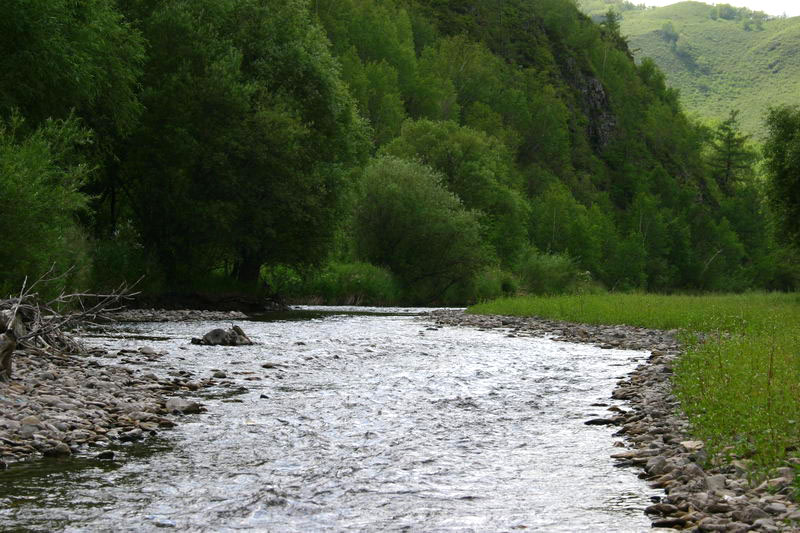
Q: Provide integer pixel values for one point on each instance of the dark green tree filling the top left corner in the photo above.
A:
(61, 56)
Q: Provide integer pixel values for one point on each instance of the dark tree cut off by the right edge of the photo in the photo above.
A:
(782, 158)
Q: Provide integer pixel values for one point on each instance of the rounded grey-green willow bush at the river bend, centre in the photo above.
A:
(410, 223)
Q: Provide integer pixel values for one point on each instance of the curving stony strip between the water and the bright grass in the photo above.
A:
(701, 493)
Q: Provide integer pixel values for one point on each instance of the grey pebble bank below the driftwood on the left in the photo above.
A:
(61, 405)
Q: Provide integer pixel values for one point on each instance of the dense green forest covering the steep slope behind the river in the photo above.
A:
(372, 151)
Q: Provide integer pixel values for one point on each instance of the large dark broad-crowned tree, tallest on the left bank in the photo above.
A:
(248, 139)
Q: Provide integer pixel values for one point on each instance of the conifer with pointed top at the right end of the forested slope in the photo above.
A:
(731, 158)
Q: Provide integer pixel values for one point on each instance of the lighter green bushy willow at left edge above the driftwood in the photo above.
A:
(40, 177)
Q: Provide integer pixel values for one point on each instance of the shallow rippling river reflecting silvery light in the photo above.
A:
(362, 422)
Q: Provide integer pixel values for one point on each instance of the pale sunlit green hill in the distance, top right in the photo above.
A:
(720, 58)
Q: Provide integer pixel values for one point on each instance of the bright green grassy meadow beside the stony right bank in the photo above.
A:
(739, 386)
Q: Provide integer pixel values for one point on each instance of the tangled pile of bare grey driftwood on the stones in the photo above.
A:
(28, 322)
